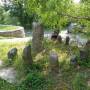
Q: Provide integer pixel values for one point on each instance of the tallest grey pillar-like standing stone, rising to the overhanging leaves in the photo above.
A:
(38, 36)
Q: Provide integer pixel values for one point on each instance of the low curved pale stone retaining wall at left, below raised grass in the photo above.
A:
(13, 33)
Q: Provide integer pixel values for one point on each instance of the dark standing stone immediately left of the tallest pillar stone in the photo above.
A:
(27, 57)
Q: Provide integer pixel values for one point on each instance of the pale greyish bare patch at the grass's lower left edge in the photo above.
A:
(8, 73)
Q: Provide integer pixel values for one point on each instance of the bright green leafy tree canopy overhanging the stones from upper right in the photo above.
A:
(56, 13)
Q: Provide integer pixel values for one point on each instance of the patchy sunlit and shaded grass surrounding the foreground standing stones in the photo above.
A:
(38, 77)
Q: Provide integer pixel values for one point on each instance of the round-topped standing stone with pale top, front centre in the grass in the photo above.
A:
(54, 63)
